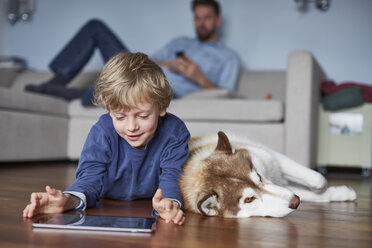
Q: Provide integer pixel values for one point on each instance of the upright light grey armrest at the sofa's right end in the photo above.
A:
(304, 76)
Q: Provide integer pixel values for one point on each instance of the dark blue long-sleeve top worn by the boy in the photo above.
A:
(109, 167)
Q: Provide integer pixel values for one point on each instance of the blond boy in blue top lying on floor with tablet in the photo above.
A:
(134, 151)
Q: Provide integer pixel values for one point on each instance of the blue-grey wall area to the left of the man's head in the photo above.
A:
(143, 25)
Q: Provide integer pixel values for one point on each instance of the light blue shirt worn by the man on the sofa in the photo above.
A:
(220, 64)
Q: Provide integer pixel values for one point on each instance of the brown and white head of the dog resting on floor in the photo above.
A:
(233, 187)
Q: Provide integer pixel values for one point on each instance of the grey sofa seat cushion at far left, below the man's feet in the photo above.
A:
(31, 102)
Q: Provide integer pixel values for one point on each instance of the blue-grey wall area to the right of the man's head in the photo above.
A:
(265, 31)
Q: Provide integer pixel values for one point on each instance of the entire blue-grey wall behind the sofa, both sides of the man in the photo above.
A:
(263, 32)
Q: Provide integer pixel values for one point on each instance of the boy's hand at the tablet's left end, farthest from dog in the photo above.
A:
(50, 201)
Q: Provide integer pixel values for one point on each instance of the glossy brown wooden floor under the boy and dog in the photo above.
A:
(345, 224)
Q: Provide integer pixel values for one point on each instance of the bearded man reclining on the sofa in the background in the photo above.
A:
(190, 64)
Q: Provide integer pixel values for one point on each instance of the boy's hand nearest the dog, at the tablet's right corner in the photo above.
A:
(167, 208)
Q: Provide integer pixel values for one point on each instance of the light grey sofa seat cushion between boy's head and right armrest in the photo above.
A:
(228, 110)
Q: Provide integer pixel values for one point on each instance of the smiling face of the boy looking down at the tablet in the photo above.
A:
(137, 125)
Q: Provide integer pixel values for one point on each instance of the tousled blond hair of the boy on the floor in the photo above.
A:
(128, 79)
